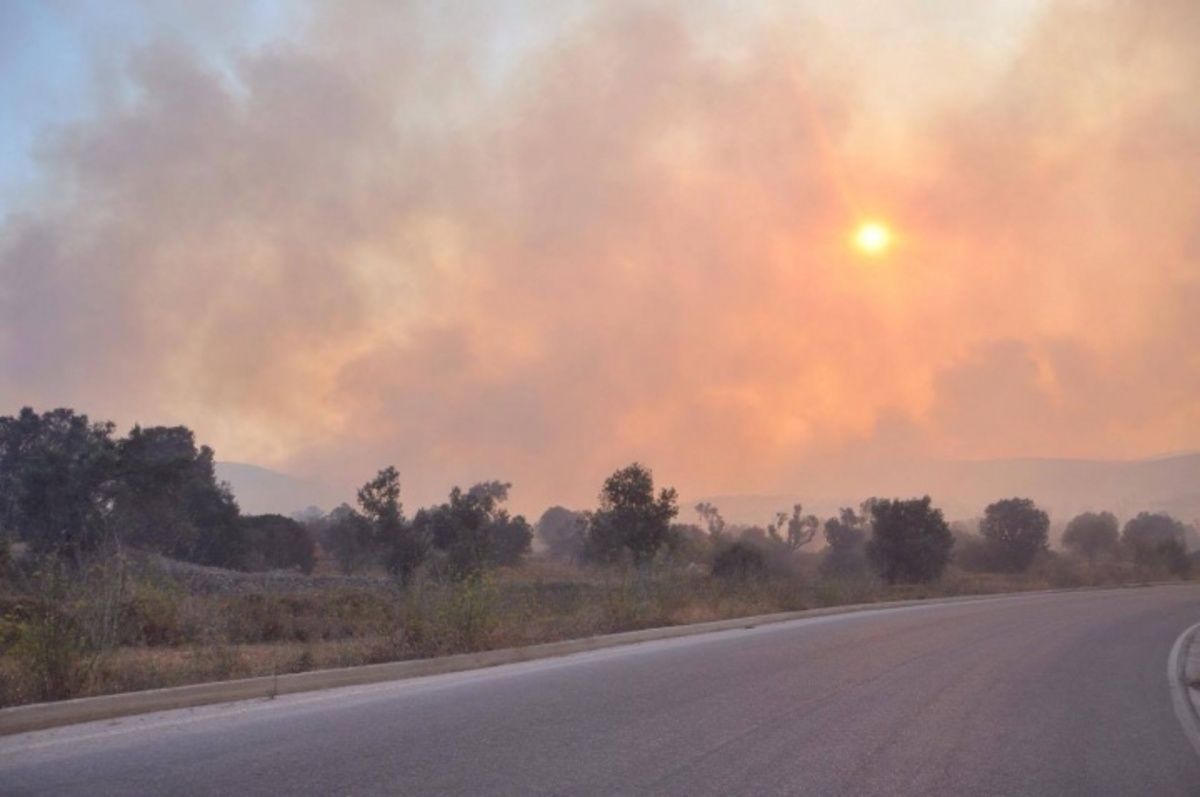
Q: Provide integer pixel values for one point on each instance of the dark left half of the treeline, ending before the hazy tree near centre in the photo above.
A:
(71, 489)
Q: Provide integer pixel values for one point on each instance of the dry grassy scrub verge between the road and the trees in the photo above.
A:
(127, 627)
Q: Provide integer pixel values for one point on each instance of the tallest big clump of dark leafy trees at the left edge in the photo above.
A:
(67, 487)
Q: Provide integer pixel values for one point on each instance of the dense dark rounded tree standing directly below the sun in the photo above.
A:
(910, 541)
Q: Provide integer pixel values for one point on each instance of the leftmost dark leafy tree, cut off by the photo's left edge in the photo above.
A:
(57, 472)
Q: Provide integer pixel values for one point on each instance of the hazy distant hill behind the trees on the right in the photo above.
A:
(1064, 488)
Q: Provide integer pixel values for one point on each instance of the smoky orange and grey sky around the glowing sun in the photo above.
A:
(538, 241)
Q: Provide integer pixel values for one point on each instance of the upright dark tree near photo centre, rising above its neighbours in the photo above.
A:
(631, 518)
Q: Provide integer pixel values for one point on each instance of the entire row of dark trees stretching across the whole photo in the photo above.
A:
(70, 488)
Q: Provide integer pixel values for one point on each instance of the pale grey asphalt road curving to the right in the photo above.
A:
(1063, 694)
